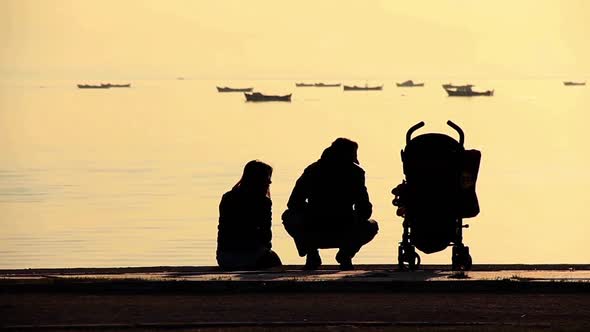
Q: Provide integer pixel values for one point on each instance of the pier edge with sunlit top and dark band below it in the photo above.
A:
(553, 278)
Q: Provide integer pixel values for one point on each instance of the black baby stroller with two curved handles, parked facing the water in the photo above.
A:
(437, 193)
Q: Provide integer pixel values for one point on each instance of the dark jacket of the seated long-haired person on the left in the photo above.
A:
(244, 221)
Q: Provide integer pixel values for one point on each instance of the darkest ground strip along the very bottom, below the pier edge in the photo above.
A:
(467, 310)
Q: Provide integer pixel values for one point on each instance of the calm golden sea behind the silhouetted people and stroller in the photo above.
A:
(133, 177)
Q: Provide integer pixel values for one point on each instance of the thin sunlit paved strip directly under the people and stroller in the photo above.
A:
(553, 272)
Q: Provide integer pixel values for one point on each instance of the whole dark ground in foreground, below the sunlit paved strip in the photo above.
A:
(363, 304)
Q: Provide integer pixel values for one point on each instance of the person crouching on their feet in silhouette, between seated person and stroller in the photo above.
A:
(330, 208)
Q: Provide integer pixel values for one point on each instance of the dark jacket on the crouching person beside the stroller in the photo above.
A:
(331, 194)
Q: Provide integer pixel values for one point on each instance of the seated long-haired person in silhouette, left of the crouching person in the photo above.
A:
(244, 232)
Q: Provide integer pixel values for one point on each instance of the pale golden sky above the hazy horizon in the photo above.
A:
(294, 39)
